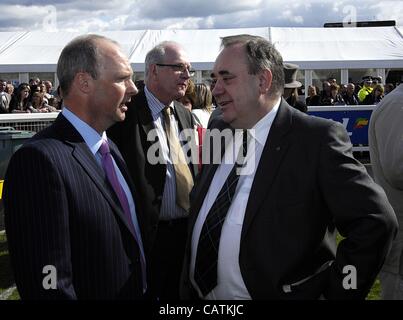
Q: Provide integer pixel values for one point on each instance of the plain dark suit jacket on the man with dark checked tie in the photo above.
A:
(307, 182)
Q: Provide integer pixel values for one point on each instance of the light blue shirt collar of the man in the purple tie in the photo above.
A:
(90, 136)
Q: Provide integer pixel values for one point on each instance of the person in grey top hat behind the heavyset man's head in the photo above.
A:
(291, 86)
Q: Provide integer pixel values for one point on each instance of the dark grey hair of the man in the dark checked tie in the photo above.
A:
(261, 55)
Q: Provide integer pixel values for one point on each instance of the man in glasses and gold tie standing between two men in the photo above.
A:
(147, 147)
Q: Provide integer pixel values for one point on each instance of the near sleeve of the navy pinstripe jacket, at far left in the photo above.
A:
(37, 225)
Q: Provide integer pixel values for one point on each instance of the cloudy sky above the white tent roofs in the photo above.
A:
(107, 15)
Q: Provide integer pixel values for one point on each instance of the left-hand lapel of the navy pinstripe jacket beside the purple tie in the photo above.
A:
(82, 154)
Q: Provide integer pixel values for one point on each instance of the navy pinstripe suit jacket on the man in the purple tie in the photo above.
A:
(61, 211)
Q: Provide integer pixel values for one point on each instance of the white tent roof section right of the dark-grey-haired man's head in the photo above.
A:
(340, 48)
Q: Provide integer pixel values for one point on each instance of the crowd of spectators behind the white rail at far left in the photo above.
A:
(33, 97)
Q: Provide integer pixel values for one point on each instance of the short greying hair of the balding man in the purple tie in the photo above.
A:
(79, 55)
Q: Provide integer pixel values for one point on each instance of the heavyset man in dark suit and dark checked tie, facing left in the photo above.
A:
(265, 229)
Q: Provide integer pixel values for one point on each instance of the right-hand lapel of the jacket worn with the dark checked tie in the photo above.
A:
(274, 150)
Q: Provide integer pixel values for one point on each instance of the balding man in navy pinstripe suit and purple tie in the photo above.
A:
(73, 217)
